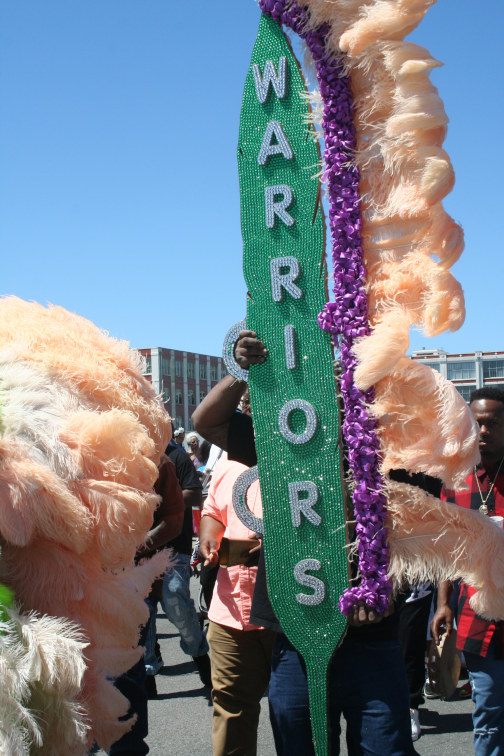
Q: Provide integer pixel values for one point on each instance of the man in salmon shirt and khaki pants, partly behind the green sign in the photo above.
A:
(240, 651)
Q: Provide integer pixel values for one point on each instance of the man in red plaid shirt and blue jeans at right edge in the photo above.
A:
(481, 640)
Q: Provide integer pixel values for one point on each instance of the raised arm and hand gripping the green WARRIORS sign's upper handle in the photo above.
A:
(212, 417)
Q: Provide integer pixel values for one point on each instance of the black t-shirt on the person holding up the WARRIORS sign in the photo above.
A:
(241, 448)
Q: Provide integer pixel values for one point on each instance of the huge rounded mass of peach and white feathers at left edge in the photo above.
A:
(81, 433)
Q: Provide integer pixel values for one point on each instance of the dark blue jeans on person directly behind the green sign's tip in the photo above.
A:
(367, 684)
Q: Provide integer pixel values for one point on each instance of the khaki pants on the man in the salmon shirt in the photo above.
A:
(241, 664)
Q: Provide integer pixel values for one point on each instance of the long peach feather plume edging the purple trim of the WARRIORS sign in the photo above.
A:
(409, 244)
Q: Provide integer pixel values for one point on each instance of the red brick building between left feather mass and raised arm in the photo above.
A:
(183, 378)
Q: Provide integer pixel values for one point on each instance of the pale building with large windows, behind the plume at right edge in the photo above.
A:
(468, 370)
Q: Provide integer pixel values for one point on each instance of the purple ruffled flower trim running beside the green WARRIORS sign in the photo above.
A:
(347, 317)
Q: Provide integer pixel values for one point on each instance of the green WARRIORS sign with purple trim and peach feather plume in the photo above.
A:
(386, 174)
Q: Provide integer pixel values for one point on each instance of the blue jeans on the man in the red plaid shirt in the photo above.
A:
(487, 680)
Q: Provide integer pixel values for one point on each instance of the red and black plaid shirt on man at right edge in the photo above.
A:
(473, 632)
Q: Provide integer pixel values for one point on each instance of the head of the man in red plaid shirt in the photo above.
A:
(487, 406)
